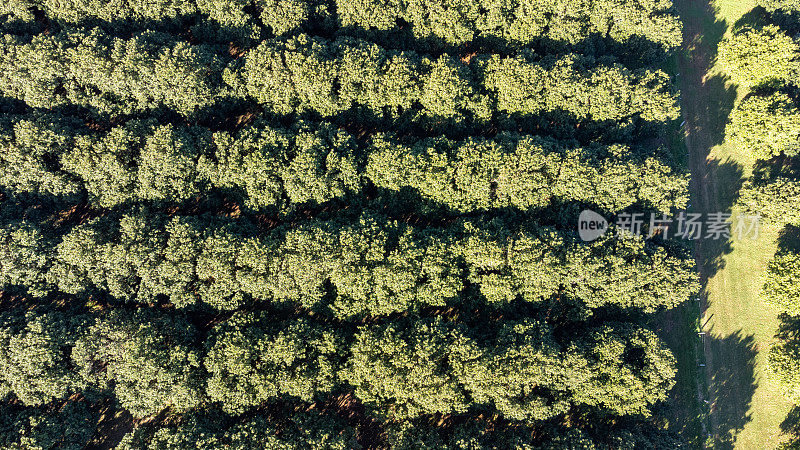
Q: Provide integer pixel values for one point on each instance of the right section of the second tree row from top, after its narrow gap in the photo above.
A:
(330, 77)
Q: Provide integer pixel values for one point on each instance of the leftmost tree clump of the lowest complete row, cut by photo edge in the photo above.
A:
(34, 356)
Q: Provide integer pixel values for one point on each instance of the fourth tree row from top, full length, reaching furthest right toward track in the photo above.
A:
(369, 266)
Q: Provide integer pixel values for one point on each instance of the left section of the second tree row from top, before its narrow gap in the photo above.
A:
(110, 75)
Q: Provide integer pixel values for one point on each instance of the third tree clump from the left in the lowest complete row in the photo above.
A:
(251, 360)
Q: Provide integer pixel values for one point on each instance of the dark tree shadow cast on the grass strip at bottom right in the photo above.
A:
(731, 385)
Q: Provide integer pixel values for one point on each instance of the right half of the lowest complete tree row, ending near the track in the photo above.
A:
(404, 370)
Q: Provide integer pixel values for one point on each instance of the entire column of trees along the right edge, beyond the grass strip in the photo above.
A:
(764, 58)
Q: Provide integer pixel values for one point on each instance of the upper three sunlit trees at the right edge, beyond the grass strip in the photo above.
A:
(765, 58)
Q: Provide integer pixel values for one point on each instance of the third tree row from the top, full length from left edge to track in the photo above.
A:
(274, 166)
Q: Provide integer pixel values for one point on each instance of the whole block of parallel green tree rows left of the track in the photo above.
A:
(334, 224)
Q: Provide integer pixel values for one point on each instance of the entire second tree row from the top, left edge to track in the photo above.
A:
(156, 72)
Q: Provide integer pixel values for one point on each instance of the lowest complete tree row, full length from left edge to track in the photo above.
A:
(404, 369)
